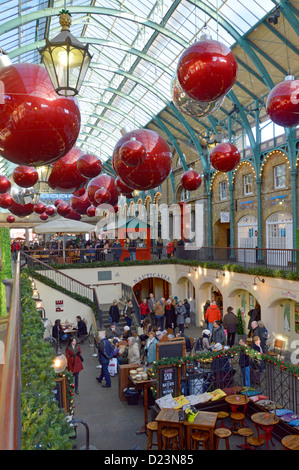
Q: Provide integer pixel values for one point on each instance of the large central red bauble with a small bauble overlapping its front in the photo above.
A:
(156, 166)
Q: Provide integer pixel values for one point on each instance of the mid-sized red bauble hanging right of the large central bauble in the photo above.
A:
(225, 157)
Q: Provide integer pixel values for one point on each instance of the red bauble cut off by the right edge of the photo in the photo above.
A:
(282, 103)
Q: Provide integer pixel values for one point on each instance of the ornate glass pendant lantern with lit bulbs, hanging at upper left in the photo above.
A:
(66, 59)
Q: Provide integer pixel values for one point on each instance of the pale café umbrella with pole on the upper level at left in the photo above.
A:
(64, 226)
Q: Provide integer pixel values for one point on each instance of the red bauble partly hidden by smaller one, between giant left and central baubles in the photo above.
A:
(65, 176)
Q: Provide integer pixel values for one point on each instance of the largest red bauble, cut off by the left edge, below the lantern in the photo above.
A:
(37, 126)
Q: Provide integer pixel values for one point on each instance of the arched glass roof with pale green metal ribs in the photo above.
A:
(136, 46)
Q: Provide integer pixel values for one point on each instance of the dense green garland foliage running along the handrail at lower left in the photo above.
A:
(44, 425)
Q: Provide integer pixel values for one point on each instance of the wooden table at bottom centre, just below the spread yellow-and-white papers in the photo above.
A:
(204, 421)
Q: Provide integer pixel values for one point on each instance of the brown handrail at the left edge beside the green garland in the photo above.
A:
(10, 374)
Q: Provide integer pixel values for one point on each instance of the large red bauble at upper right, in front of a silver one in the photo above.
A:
(207, 70)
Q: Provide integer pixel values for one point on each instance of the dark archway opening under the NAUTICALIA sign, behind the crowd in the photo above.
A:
(159, 286)
